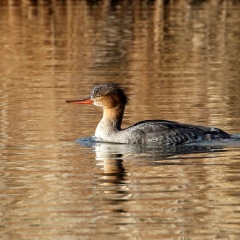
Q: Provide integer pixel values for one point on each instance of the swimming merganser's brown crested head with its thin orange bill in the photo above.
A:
(106, 95)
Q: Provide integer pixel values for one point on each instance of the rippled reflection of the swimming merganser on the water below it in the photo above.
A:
(111, 157)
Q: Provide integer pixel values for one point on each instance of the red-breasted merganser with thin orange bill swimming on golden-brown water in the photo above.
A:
(113, 100)
